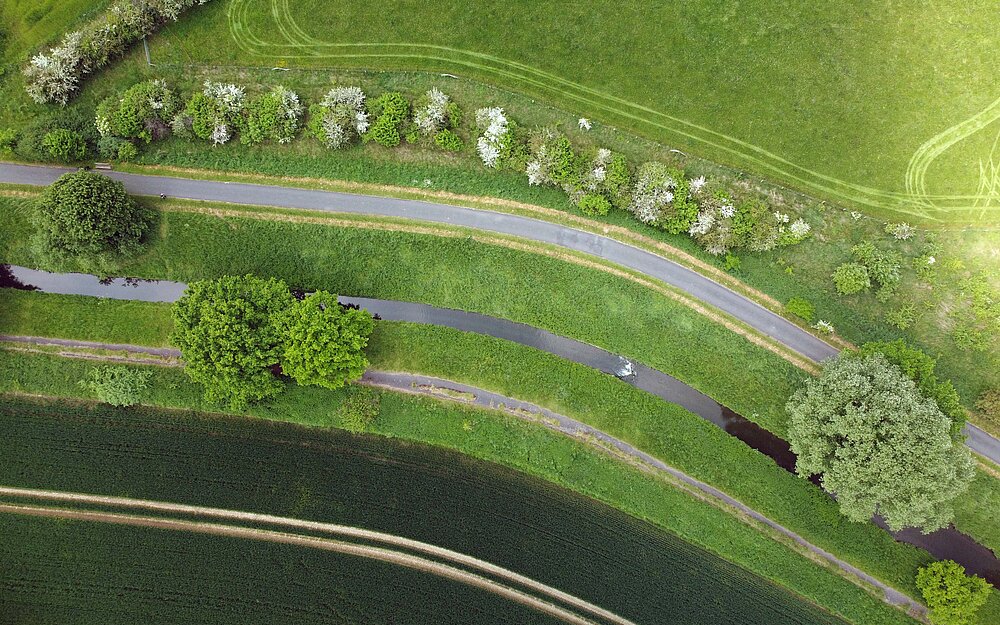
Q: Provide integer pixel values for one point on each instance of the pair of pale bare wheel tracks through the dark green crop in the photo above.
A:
(383, 554)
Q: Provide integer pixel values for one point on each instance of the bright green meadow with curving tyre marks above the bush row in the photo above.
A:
(891, 107)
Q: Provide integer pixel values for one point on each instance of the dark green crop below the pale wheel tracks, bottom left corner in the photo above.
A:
(88, 573)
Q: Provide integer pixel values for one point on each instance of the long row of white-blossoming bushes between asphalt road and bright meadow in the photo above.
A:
(596, 180)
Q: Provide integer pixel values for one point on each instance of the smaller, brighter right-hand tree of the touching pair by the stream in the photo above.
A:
(325, 341)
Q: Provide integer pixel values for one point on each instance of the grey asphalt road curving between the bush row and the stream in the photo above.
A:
(695, 284)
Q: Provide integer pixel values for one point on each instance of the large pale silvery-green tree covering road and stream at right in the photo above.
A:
(878, 444)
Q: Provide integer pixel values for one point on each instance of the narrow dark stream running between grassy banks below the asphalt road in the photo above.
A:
(947, 543)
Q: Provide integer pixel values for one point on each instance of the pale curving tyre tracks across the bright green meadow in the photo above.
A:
(913, 202)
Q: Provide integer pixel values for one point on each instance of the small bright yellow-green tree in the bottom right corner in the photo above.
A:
(953, 597)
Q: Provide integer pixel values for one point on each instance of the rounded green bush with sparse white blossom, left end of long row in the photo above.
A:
(143, 112)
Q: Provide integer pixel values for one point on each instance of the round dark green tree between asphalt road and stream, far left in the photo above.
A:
(87, 214)
